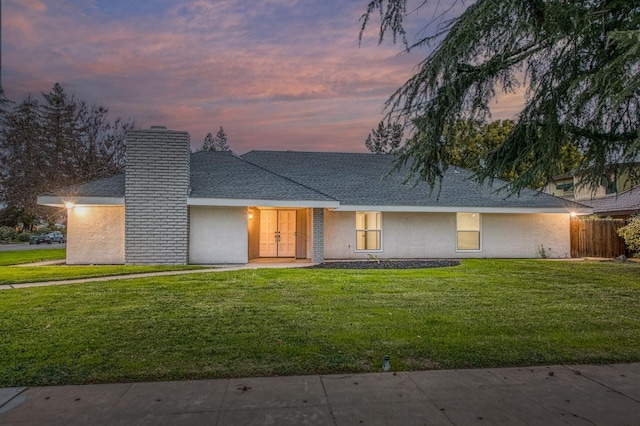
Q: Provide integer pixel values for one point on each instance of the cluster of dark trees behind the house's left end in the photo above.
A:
(56, 142)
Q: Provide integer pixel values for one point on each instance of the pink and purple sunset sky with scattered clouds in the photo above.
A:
(278, 74)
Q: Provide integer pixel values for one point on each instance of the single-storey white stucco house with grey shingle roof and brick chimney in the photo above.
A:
(175, 207)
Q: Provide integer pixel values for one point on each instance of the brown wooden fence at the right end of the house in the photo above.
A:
(596, 238)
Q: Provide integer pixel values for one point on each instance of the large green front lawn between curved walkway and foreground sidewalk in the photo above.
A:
(484, 313)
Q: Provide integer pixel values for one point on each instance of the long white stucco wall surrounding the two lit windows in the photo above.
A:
(433, 235)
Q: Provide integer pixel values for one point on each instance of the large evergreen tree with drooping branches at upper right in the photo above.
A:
(579, 61)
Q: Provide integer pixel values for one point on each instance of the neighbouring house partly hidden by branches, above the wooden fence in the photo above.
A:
(617, 196)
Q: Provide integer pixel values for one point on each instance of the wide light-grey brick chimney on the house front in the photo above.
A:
(156, 191)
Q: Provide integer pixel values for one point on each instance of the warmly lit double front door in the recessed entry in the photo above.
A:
(277, 233)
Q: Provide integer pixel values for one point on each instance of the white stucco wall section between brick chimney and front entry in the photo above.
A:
(218, 235)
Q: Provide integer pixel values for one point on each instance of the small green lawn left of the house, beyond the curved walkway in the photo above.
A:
(26, 274)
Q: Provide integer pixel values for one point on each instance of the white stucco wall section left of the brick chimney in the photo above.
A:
(95, 235)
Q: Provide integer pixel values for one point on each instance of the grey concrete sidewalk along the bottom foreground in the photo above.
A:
(555, 395)
